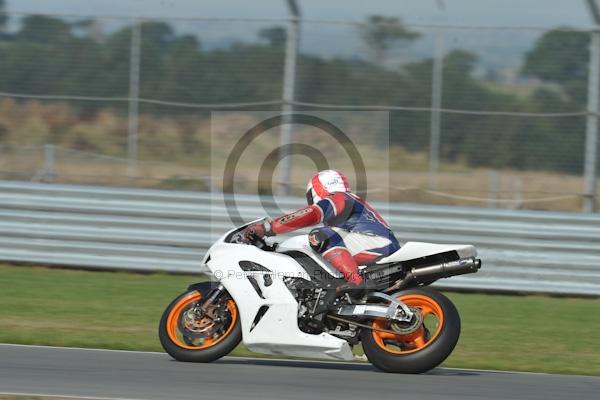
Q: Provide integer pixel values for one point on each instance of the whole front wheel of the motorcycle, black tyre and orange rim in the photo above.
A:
(190, 332)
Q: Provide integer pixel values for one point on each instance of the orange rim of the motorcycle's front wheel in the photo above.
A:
(176, 314)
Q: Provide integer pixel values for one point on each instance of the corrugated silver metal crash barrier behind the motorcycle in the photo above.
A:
(139, 229)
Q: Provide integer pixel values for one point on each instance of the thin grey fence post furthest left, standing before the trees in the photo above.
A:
(134, 94)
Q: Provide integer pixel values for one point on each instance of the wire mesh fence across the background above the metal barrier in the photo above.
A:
(488, 116)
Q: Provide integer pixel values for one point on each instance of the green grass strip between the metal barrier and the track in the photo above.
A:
(121, 311)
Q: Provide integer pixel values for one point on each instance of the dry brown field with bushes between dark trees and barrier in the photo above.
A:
(181, 153)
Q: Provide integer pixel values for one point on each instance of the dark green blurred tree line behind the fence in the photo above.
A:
(48, 55)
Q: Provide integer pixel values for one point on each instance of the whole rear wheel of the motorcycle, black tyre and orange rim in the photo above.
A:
(418, 346)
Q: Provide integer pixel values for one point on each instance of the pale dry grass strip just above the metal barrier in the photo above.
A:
(456, 185)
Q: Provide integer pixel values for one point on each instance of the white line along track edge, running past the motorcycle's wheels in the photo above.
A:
(264, 359)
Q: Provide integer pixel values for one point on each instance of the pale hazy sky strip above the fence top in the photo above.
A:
(542, 13)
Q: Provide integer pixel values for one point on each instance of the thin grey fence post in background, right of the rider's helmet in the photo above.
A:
(436, 105)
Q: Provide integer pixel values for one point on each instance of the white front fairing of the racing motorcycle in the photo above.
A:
(277, 331)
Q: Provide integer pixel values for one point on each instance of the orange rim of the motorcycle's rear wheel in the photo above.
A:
(420, 338)
